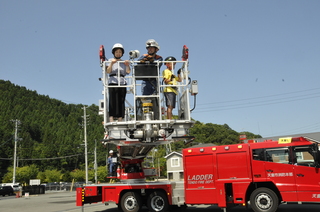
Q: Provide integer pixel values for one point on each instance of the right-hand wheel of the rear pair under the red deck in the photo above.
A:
(157, 202)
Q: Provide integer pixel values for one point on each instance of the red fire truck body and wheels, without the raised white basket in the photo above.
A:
(261, 175)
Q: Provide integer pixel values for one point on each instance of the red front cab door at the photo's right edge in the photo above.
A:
(306, 174)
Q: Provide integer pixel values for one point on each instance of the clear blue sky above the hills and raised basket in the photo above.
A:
(257, 62)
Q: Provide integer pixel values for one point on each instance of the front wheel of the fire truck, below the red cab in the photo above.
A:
(264, 200)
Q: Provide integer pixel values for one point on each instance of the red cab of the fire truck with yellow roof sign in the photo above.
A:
(291, 165)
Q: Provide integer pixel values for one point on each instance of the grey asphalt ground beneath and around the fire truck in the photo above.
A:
(65, 202)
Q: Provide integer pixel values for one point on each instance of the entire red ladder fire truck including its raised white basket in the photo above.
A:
(261, 175)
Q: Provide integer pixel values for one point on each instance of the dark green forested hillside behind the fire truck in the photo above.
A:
(52, 134)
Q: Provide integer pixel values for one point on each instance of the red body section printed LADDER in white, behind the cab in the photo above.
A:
(208, 169)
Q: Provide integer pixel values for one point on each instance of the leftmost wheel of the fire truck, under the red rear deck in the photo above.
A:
(131, 202)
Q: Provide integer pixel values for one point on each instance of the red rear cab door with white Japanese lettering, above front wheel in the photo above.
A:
(280, 171)
